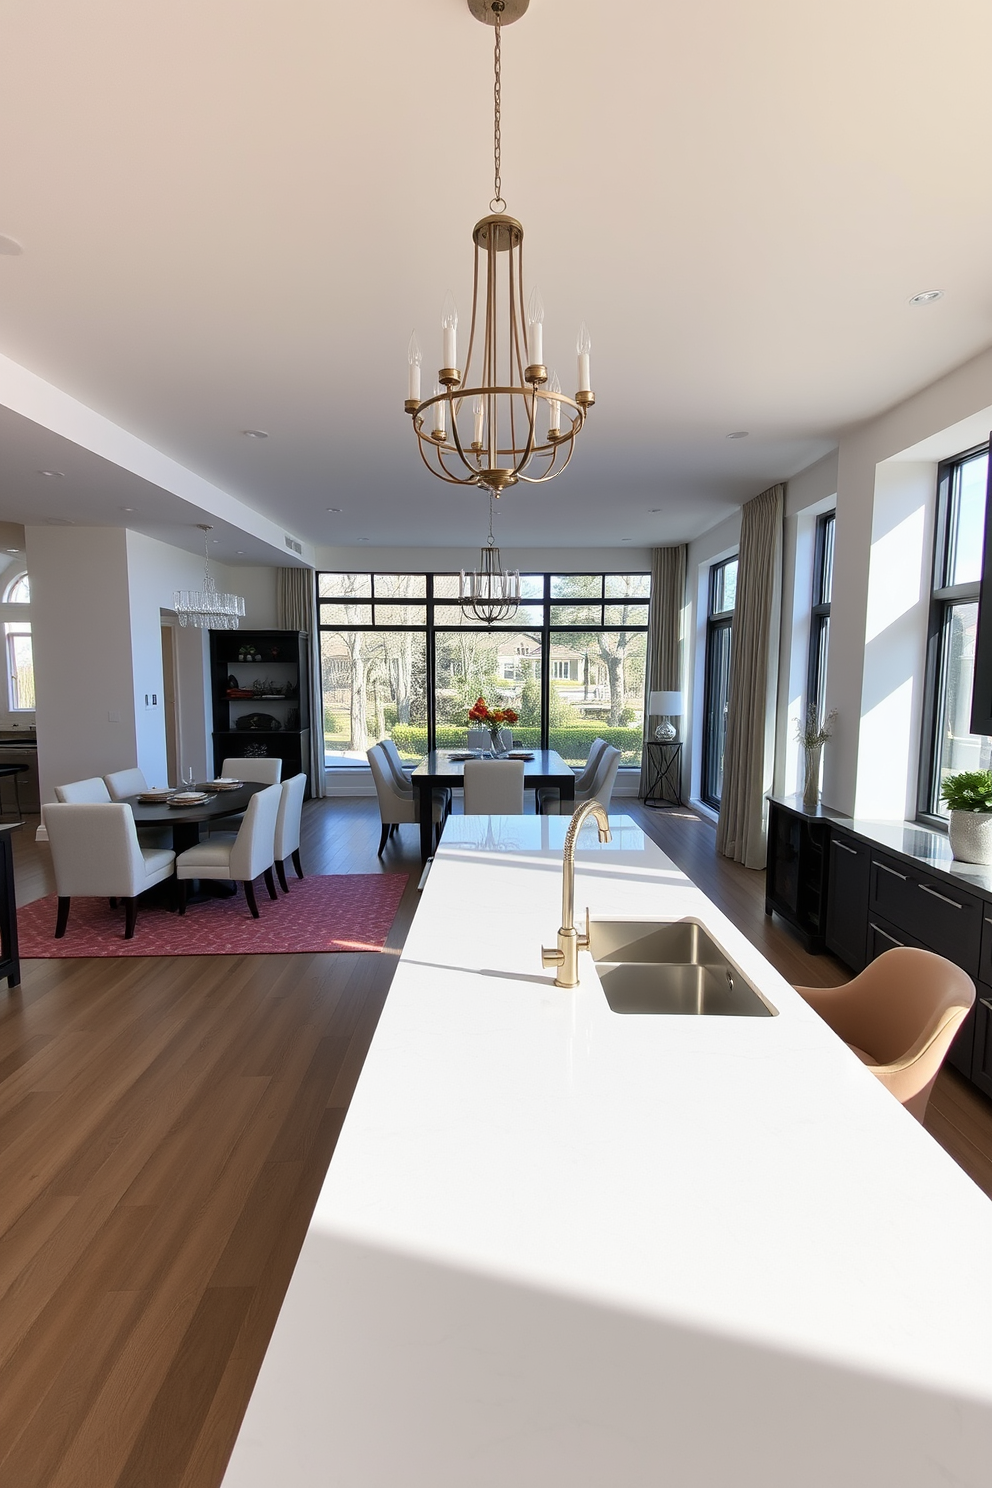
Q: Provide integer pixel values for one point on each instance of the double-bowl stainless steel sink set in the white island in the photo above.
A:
(651, 966)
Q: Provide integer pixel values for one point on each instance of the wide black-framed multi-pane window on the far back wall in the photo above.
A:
(399, 658)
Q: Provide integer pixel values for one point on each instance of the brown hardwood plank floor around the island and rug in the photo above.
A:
(167, 1126)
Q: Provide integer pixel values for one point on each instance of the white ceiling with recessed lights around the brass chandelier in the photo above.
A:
(234, 212)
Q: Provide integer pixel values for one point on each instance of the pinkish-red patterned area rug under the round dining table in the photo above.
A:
(325, 913)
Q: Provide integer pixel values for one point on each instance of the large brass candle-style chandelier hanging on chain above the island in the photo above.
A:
(503, 420)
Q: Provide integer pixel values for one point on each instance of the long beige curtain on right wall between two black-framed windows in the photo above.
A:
(750, 746)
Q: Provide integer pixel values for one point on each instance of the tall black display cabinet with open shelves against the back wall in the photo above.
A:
(261, 697)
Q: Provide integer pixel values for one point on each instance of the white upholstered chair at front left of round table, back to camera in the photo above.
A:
(96, 855)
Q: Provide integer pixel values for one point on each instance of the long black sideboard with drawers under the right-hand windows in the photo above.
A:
(857, 889)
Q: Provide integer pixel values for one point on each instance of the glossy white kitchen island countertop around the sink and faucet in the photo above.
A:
(566, 1248)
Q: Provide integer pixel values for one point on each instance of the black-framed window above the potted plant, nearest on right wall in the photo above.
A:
(950, 745)
